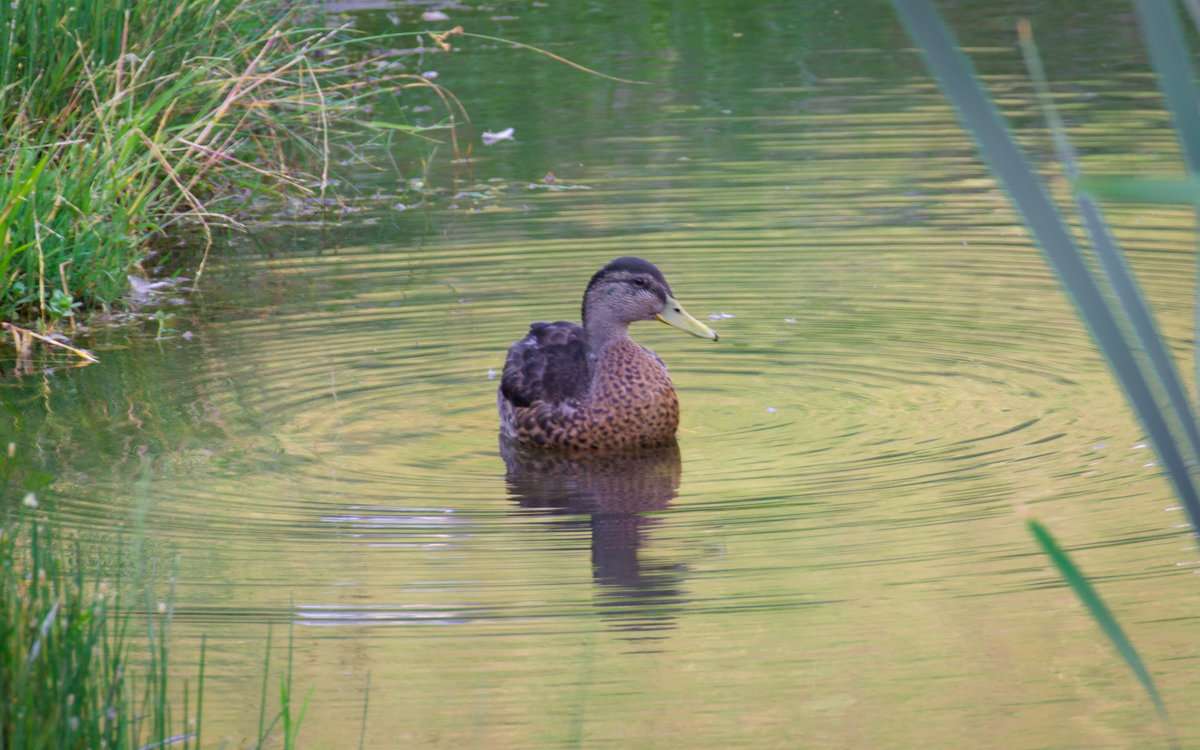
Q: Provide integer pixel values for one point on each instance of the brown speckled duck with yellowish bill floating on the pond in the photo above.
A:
(590, 387)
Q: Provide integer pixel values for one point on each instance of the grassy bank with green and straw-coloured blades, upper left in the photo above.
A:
(119, 123)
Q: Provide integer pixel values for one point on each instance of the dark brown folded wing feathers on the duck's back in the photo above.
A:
(550, 364)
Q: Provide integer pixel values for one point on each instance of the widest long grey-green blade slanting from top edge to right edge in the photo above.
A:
(1009, 164)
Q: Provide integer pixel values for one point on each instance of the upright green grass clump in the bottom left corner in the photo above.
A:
(69, 669)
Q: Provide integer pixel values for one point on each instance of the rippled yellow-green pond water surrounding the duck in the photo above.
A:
(835, 556)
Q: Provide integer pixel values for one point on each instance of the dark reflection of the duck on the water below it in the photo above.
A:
(613, 494)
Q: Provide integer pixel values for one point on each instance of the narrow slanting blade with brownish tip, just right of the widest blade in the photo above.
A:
(1125, 290)
